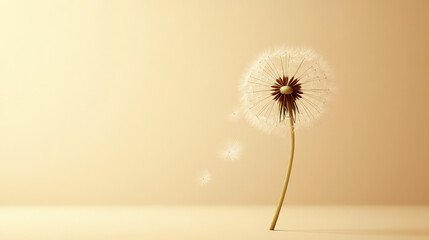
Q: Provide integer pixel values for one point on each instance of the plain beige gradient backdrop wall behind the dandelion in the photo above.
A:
(126, 102)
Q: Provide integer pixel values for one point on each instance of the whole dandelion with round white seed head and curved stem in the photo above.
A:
(286, 87)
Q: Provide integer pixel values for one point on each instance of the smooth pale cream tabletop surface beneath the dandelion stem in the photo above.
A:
(214, 222)
